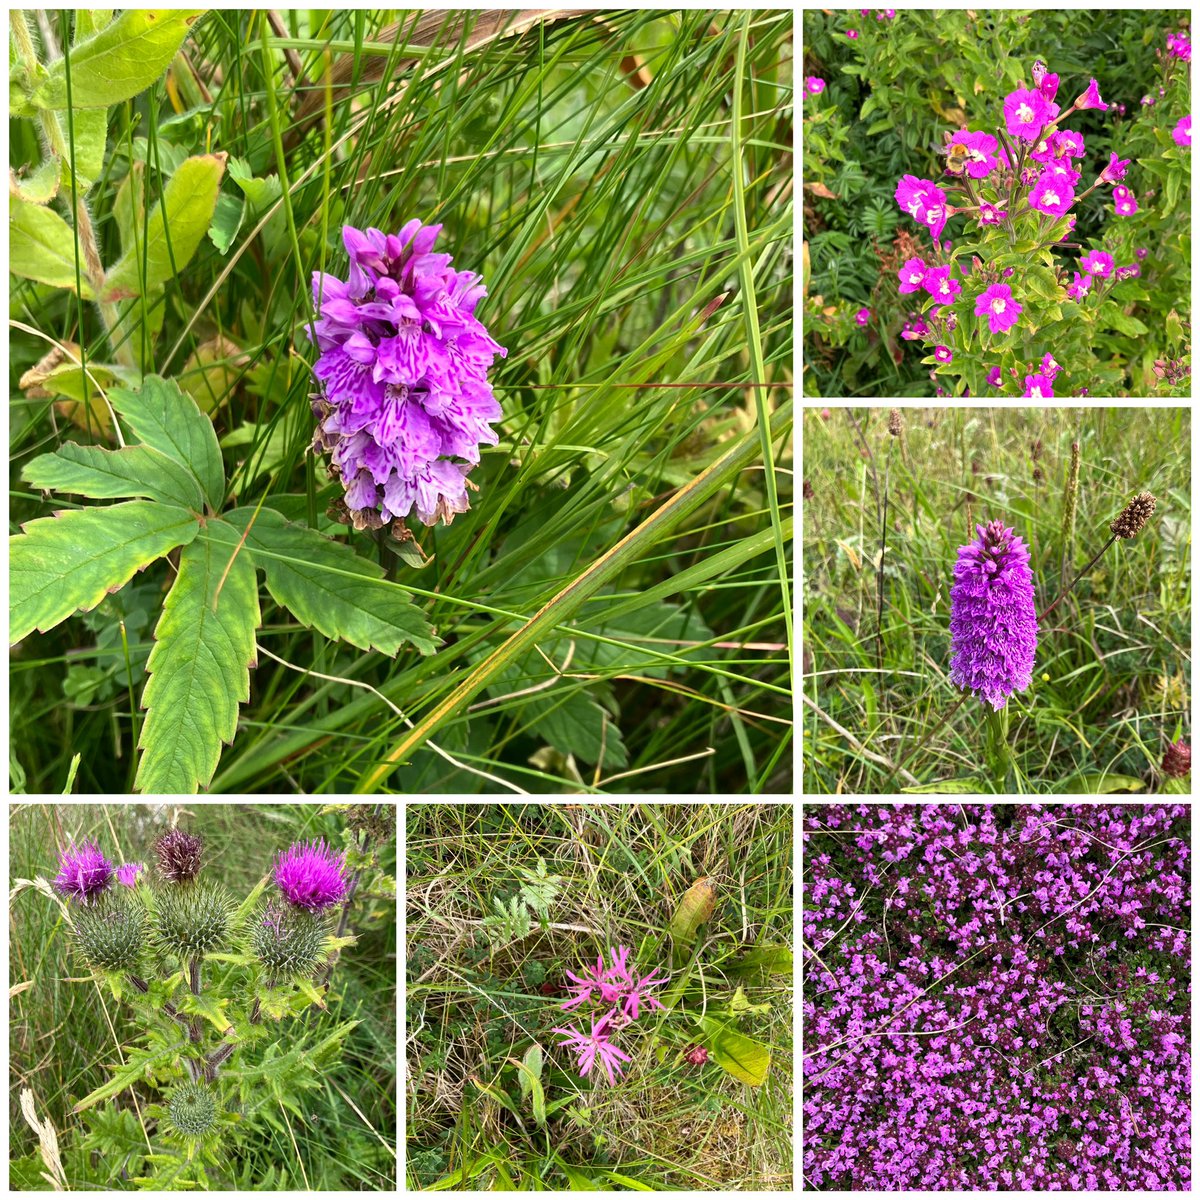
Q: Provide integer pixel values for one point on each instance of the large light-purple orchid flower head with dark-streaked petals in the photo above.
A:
(404, 364)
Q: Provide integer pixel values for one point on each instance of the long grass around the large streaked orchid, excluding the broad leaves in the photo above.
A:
(623, 183)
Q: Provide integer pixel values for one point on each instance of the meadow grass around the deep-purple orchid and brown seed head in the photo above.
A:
(1113, 673)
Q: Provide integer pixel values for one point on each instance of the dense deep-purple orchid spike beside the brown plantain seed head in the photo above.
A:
(993, 617)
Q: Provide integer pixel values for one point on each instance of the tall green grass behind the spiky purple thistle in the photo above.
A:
(65, 1033)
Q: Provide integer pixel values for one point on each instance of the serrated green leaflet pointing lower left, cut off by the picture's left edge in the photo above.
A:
(73, 561)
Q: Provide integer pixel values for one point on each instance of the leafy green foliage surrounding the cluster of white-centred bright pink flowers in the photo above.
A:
(896, 92)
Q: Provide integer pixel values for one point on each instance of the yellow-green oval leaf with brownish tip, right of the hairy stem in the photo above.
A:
(175, 230)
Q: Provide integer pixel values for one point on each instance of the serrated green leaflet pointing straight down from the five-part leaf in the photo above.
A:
(200, 667)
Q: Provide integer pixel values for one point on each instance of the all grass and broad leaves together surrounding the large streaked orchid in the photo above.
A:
(614, 613)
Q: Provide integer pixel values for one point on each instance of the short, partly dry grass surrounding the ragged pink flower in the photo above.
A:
(477, 997)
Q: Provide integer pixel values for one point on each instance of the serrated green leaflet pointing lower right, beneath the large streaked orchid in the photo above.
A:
(326, 586)
